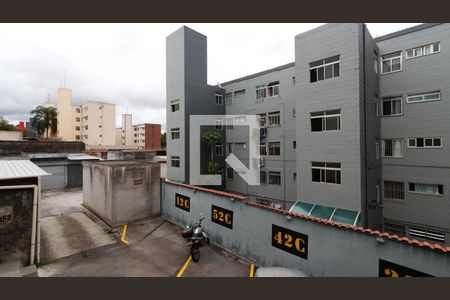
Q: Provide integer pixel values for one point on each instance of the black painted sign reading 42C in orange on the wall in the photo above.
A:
(290, 241)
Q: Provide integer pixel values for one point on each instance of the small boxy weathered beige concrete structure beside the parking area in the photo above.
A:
(122, 191)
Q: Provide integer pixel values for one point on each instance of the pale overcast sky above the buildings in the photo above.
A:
(125, 63)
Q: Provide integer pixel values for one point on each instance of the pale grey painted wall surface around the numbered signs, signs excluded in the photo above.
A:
(331, 250)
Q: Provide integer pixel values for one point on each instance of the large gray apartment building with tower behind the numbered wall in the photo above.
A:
(353, 131)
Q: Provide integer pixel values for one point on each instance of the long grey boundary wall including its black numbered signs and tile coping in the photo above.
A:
(272, 237)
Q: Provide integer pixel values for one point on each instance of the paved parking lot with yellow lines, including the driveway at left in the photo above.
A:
(155, 247)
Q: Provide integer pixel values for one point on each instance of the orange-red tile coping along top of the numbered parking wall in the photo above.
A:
(376, 233)
